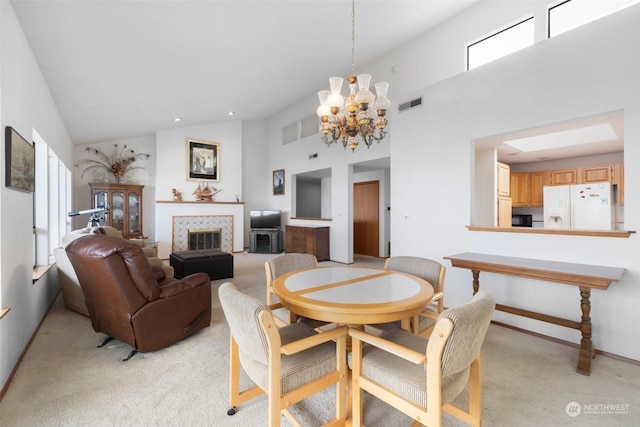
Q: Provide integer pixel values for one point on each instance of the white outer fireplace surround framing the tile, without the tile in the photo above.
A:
(167, 209)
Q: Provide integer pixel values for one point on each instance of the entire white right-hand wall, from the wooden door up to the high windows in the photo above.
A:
(587, 71)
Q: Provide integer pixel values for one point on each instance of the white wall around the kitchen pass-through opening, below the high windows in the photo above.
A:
(590, 70)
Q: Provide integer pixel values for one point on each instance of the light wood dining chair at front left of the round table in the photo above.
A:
(289, 364)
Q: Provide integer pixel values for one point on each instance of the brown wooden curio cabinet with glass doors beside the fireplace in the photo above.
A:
(125, 206)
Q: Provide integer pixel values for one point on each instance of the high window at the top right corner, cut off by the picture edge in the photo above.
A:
(569, 14)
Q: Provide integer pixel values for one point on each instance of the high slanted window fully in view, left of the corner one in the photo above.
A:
(501, 43)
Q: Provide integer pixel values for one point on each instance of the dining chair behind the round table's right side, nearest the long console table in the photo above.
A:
(429, 270)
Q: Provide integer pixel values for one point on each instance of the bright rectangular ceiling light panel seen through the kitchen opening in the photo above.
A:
(567, 138)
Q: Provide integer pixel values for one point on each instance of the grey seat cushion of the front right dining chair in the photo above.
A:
(403, 377)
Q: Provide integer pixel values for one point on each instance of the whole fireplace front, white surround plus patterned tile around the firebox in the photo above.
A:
(174, 219)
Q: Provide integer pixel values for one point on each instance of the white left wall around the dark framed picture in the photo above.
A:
(27, 105)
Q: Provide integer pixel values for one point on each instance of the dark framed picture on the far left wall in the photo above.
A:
(20, 164)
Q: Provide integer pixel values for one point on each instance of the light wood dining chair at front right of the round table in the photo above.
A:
(421, 376)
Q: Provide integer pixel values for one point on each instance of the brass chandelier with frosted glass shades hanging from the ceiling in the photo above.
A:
(350, 119)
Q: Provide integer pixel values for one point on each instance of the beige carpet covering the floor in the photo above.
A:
(65, 380)
